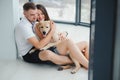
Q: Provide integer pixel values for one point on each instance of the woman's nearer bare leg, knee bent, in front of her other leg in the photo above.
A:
(68, 45)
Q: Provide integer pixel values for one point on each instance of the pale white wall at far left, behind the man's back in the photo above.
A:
(9, 17)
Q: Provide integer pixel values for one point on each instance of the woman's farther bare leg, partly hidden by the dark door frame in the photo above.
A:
(84, 47)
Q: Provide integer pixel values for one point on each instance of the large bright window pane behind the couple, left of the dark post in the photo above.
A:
(60, 10)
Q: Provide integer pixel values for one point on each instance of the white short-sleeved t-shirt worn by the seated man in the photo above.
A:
(23, 31)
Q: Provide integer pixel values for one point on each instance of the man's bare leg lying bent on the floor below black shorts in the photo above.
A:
(55, 58)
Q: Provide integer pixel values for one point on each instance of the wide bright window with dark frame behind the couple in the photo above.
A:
(66, 11)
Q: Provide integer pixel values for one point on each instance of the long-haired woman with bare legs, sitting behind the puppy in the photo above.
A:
(82, 47)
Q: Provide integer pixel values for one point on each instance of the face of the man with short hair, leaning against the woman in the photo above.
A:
(31, 15)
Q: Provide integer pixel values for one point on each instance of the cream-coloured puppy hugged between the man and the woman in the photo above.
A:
(44, 28)
